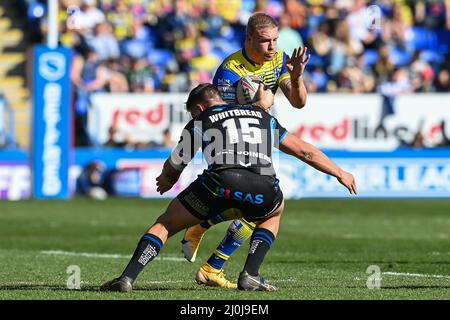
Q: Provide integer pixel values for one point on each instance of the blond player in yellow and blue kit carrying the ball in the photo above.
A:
(275, 68)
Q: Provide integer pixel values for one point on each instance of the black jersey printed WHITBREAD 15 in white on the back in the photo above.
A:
(231, 136)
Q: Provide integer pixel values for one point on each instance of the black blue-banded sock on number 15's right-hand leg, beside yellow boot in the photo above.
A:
(262, 240)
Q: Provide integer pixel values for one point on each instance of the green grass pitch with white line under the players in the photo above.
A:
(322, 252)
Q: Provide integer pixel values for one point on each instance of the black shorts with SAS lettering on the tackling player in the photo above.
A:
(212, 193)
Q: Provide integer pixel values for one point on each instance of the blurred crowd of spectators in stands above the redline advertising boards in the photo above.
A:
(357, 46)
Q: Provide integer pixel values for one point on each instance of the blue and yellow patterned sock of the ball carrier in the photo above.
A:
(238, 232)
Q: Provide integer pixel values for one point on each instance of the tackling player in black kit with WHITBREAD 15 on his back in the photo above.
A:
(240, 181)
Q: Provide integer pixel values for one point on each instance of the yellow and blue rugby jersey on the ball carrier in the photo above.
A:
(237, 65)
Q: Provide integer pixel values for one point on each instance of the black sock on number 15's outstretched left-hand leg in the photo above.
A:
(147, 249)
